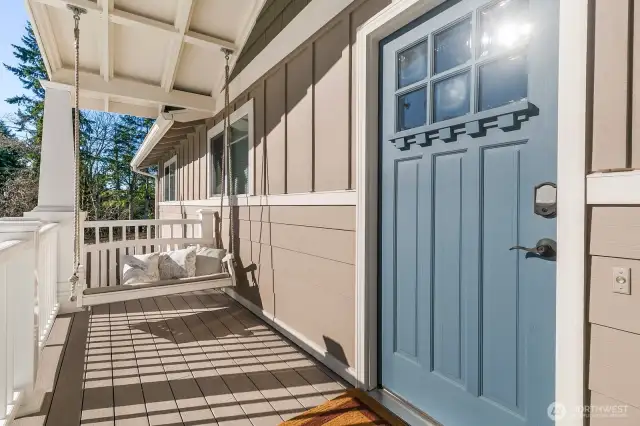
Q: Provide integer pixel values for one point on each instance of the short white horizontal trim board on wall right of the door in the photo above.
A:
(614, 188)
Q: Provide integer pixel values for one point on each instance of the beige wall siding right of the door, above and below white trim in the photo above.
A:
(614, 231)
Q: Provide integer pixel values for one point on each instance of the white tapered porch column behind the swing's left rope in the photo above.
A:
(56, 185)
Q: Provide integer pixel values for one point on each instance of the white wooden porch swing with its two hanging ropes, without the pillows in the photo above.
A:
(97, 294)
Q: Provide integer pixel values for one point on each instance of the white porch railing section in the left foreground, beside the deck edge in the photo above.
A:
(28, 305)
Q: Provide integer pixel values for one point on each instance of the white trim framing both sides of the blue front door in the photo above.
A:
(570, 295)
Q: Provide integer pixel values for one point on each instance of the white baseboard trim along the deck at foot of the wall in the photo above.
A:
(313, 349)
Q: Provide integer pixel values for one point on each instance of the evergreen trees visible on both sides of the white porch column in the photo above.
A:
(108, 142)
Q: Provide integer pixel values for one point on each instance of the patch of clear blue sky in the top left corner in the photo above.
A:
(13, 18)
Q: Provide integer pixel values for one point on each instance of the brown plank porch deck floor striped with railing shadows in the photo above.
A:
(191, 359)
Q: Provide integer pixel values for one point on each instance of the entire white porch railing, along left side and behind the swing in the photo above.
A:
(30, 268)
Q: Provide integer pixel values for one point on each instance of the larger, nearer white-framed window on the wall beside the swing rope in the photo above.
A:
(240, 152)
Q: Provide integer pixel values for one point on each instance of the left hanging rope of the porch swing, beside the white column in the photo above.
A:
(77, 11)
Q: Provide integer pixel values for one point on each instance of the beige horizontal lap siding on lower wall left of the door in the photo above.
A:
(303, 262)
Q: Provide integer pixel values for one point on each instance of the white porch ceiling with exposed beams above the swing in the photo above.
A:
(139, 56)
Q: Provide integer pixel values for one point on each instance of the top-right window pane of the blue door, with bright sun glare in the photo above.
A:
(504, 26)
